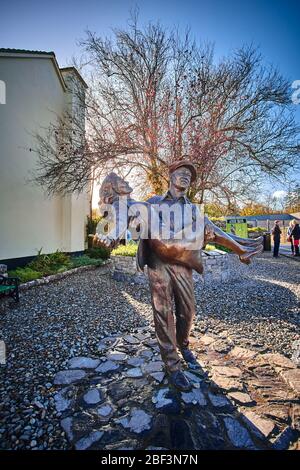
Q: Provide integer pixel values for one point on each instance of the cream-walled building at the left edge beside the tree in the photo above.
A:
(36, 92)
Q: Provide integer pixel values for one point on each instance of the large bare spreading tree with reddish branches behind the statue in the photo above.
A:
(155, 96)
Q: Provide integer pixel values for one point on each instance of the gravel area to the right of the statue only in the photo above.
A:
(260, 306)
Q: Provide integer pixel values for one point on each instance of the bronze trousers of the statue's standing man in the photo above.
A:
(167, 283)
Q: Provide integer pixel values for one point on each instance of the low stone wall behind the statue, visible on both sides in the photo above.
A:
(216, 268)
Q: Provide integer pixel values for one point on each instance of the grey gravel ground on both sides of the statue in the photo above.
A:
(55, 322)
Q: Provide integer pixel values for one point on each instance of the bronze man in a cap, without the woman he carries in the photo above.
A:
(168, 281)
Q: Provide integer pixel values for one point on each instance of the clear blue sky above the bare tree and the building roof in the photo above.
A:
(57, 26)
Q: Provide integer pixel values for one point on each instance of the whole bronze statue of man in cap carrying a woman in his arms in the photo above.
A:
(171, 248)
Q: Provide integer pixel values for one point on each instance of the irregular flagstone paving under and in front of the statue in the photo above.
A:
(127, 403)
